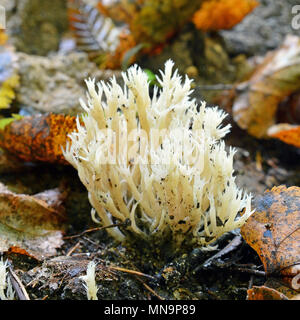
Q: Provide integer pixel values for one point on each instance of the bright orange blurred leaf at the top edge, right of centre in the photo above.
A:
(225, 14)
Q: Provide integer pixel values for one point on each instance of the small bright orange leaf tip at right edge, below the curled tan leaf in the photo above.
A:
(285, 132)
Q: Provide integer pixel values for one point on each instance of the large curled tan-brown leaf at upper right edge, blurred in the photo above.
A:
(276, 78)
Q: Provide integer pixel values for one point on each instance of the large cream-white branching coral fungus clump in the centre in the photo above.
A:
(158, 161)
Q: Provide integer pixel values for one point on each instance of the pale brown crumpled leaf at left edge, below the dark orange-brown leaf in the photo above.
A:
(31, 223)
